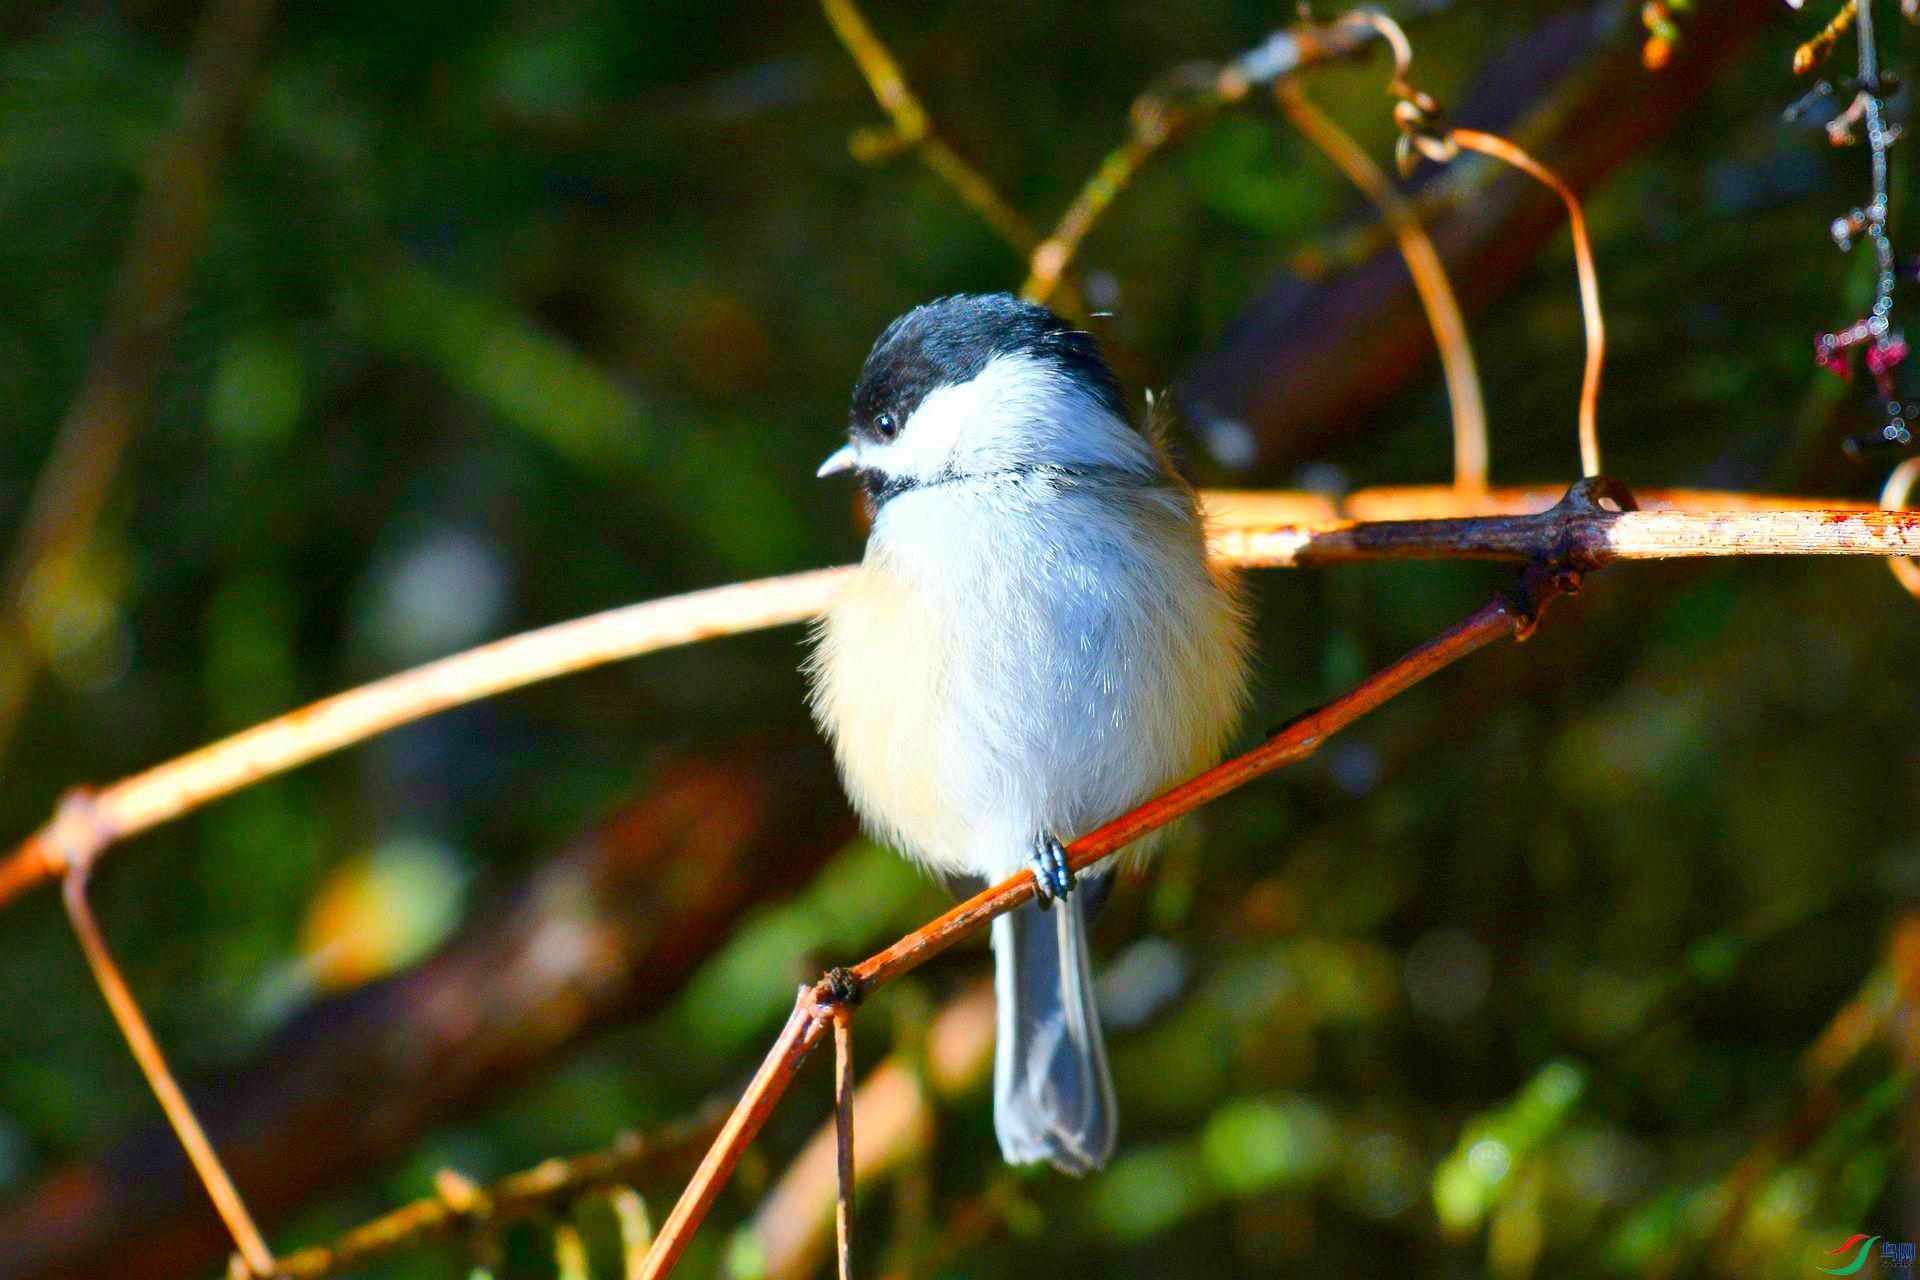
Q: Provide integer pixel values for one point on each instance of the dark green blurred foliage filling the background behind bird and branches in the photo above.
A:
(517, 312)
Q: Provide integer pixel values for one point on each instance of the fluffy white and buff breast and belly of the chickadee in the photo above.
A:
(976, 698)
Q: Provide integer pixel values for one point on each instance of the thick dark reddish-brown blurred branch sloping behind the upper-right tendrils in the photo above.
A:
(1285, 379)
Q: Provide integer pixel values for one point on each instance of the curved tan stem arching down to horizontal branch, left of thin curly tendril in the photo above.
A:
(1429, 279)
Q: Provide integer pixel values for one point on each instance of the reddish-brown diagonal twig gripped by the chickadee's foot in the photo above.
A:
(819, 1007)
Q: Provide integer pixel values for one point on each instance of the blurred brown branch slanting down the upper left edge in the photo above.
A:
(170, 229)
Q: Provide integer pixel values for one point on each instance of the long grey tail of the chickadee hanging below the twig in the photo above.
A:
(1053, 1097)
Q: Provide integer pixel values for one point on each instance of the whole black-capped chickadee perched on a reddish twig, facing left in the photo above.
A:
(1032, 646)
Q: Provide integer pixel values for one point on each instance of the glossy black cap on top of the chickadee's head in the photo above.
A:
(951, 341)
